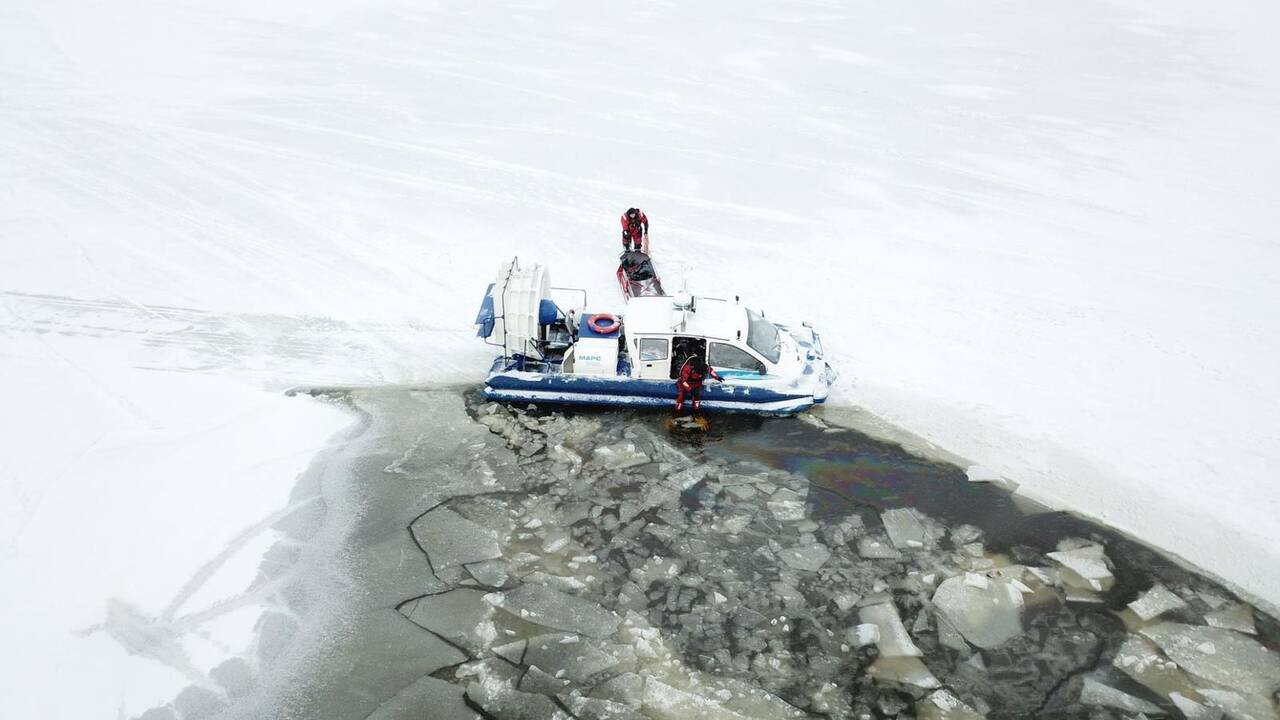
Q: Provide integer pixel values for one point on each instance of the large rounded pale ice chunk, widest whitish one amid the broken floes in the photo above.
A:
(988, 614)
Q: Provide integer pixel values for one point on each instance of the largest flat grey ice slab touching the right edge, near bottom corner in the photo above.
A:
(1220, 657)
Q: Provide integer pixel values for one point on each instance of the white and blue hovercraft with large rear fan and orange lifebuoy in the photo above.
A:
(561, 353)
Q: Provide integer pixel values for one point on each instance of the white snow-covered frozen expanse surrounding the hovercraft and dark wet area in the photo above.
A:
(1040, 236)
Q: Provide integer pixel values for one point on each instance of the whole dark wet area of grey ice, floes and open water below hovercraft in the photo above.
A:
(477, 560)
